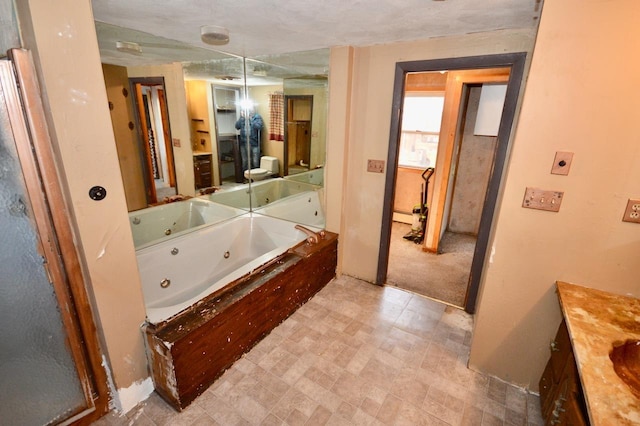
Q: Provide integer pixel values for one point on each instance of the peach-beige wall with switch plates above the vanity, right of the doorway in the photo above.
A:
(579, 98)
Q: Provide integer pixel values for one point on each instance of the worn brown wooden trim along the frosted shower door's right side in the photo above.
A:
(57, 243)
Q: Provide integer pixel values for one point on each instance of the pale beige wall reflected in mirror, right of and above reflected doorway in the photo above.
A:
(178, 118)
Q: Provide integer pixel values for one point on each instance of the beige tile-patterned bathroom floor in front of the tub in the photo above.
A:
(355, 354)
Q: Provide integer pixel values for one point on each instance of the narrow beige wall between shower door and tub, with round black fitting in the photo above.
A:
(63, 39)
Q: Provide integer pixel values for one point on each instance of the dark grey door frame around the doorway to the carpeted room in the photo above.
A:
(515, 61)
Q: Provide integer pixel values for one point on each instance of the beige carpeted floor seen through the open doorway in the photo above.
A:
(442, 276)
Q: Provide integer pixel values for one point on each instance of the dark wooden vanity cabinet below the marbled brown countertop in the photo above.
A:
(561, 397)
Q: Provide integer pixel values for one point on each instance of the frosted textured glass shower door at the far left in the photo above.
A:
(39, 379)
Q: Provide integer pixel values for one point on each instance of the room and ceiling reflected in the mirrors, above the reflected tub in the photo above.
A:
(201, 143)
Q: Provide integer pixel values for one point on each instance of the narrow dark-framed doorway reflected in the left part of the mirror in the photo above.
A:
(155, 143)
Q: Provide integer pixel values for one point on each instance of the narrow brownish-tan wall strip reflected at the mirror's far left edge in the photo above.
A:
(116, 79)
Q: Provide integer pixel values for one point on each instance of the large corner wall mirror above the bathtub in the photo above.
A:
(198, 125)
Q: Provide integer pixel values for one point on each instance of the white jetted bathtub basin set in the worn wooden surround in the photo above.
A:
(199, 263)
